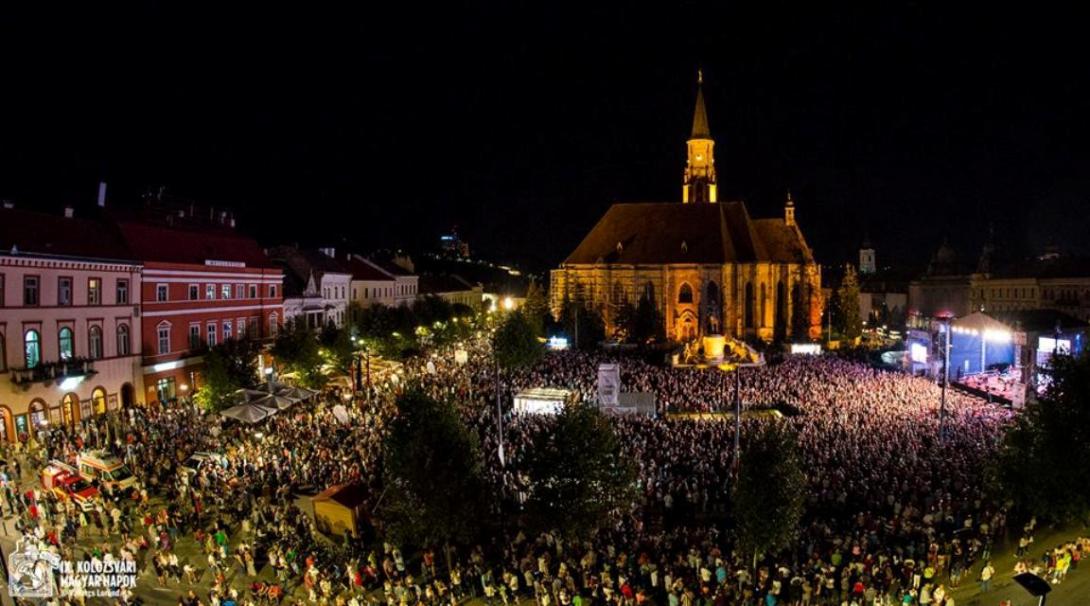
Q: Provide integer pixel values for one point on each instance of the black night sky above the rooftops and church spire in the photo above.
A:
(523, 123)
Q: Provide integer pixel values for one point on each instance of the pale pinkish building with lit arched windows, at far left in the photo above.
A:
(70, 330)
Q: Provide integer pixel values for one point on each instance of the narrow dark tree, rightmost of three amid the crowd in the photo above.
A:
(769, 494)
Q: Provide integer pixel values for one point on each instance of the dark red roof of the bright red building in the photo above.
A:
(175, 245)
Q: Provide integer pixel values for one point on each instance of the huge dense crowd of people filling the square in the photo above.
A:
(895, 515)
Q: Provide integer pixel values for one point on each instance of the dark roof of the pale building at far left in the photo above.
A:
(55, 235)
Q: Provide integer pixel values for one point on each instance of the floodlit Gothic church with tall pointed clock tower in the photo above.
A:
(707, 265)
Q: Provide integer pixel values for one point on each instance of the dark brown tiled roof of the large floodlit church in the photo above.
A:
(658, 234)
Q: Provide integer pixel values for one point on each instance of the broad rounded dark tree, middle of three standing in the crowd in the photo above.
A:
(580, 478)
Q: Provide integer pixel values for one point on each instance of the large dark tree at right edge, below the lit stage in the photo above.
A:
(1045, 465)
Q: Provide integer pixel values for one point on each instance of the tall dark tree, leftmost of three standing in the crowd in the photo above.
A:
(433, 476)
